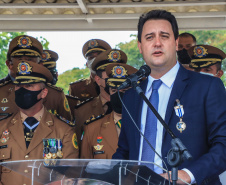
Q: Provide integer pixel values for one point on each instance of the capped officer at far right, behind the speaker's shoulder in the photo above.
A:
(207, 59)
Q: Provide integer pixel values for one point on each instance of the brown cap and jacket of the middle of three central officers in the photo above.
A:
(94, 106)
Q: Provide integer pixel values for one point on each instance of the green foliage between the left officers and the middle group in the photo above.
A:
(71, 76)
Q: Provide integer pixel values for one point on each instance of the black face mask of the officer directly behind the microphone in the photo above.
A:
(116, 104)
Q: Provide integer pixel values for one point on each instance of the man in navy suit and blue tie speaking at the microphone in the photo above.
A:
(203, 98)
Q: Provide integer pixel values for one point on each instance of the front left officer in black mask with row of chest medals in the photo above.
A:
(33, 132)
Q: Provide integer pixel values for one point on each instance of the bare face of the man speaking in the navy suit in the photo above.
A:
(158, 45)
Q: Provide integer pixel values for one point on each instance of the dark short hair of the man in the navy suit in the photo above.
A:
(158, 15)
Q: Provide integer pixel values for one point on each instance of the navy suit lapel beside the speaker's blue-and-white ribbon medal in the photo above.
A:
(180, 83)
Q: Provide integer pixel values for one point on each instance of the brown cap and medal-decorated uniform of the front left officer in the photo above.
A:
(16, 144)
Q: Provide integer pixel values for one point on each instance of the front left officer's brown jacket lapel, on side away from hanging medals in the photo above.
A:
(17, 131)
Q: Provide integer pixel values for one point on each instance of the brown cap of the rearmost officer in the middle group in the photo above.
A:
(95, 45)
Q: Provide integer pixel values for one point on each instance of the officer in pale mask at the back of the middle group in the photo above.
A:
(87, 88)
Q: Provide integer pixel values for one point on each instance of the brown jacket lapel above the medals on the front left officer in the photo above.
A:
(42, 131)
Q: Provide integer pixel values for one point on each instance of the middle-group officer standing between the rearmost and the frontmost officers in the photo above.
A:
(101, 104)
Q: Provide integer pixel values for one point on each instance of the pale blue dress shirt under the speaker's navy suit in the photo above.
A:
(164, 94)
